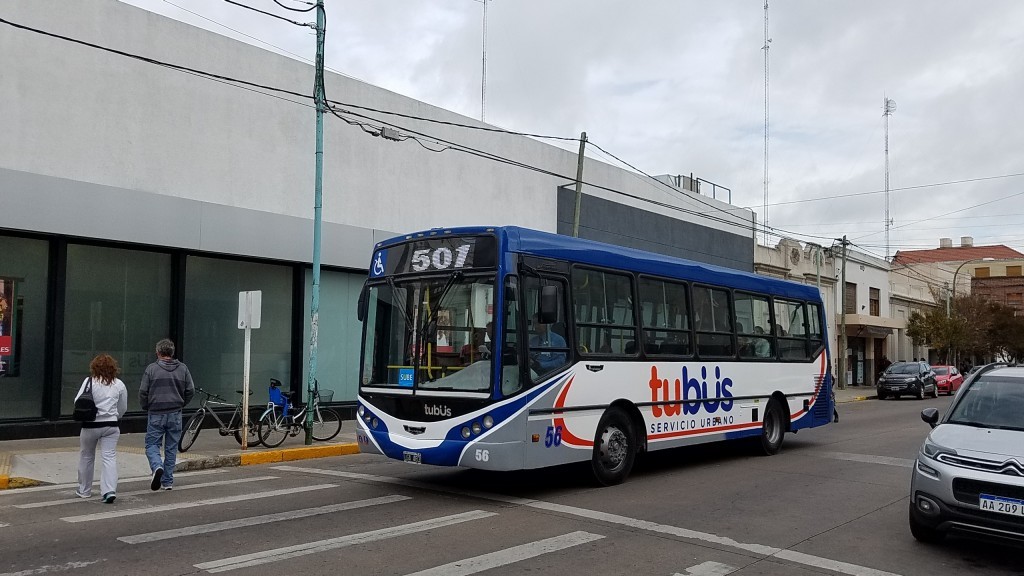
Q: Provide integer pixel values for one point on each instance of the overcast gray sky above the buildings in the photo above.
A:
(677, 87)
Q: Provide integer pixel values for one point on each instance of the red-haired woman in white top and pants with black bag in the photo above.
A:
(111, 398)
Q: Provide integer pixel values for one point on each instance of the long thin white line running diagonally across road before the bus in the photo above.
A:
(767, 552)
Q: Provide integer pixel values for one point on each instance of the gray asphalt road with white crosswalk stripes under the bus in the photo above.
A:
(833, 502)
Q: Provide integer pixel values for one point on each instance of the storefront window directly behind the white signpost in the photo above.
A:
(215, 346)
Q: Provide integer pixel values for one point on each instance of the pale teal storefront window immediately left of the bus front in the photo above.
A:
(338, 335)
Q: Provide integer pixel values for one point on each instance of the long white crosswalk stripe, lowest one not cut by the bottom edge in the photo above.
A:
(305, 549)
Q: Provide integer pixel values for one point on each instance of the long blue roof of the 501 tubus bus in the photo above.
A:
(528, 241)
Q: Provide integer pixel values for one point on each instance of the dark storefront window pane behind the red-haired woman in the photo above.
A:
(116, 302)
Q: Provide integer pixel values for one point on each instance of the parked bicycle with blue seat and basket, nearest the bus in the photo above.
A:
(281, 419)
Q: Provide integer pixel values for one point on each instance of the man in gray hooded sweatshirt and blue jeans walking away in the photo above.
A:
(167, 388)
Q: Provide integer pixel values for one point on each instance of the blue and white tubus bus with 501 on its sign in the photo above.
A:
(509, 349)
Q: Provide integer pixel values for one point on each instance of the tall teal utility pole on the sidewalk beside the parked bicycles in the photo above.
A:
(319, 99)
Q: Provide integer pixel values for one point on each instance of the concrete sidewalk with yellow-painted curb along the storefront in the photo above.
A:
(55, 461)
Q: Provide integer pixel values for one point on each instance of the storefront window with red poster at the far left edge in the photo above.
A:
(23, 326)
